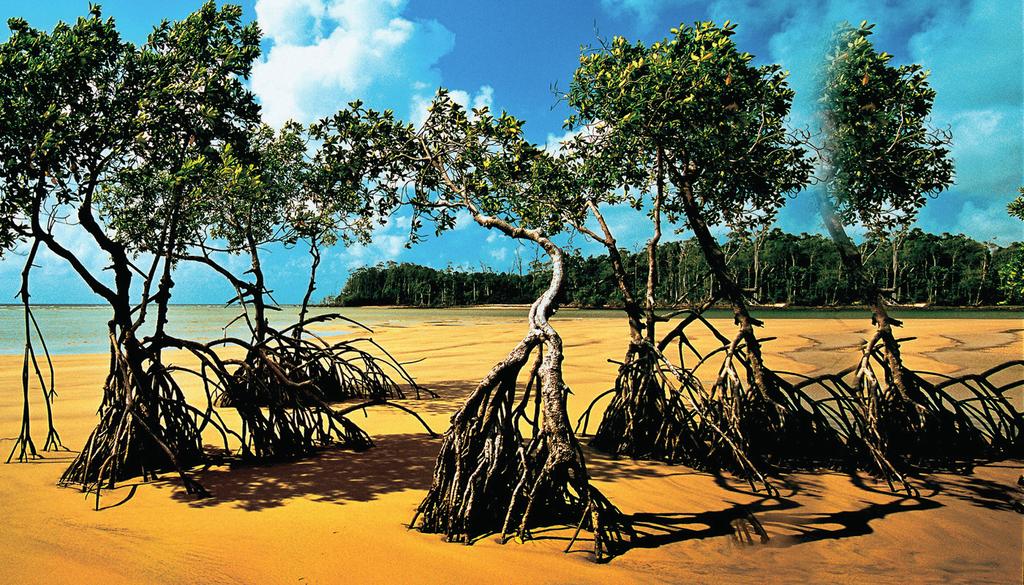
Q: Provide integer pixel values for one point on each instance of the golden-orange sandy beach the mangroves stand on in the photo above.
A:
(343, 517)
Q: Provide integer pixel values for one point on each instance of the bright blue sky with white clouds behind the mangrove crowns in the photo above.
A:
(319, 55)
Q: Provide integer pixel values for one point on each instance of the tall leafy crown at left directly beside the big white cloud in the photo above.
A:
(194, 115)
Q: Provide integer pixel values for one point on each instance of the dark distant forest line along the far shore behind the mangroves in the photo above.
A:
(775, 268)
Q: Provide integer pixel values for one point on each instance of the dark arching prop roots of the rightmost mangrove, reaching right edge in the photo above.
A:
(942, 424)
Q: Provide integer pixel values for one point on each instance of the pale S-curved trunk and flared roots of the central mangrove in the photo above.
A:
(486, 479)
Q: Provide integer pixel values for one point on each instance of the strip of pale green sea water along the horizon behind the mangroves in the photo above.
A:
(82, 329)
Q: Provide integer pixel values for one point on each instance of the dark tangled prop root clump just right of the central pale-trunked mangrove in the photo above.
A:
(663, 411)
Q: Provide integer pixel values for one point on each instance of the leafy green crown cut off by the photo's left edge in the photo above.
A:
(68, 101)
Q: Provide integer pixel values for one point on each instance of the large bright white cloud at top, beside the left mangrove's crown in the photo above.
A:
(325, 54)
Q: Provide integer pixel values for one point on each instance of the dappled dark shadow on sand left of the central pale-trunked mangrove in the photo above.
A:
(397, 463)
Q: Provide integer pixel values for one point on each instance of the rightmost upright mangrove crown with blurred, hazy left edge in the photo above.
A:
(882, 156)
